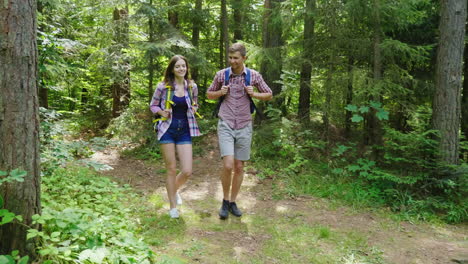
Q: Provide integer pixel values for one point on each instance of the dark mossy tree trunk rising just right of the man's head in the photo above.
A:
(272, 63)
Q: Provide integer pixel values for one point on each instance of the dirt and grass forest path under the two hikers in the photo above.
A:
(293, 230)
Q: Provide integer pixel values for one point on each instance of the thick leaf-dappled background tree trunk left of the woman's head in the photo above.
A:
(121, 86)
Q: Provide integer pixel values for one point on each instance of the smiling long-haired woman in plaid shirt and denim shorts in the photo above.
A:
(175, 101)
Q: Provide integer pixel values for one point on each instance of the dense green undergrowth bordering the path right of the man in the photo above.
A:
(407, 180)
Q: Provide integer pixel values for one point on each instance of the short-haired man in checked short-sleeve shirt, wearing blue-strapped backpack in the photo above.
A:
(234, 87)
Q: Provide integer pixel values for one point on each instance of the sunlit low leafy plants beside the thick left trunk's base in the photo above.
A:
(88, 218)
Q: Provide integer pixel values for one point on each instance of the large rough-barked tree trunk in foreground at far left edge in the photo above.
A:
(19, 121)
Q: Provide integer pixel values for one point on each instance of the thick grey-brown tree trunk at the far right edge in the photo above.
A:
(446, 106)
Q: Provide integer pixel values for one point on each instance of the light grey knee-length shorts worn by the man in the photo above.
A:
(234, 142)
